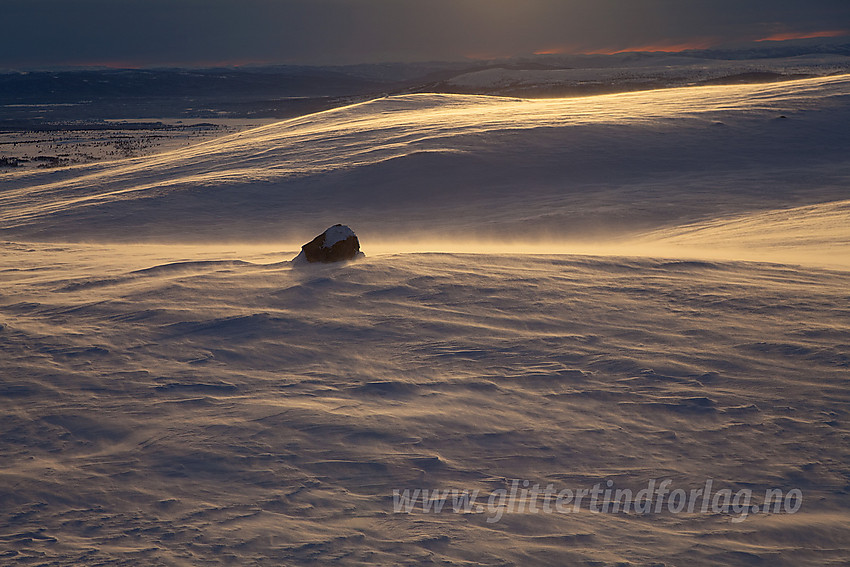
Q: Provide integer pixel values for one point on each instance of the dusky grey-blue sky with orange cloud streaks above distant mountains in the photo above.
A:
(197, 33)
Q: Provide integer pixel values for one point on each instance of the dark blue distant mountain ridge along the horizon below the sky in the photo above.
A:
(285, 91)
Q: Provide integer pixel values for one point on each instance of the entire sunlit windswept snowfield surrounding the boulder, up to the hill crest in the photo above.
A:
(639, 288)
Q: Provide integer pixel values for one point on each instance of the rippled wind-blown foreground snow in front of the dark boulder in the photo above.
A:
(233, 409)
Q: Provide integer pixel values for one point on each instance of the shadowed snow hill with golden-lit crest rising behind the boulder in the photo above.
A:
(426, 165)
